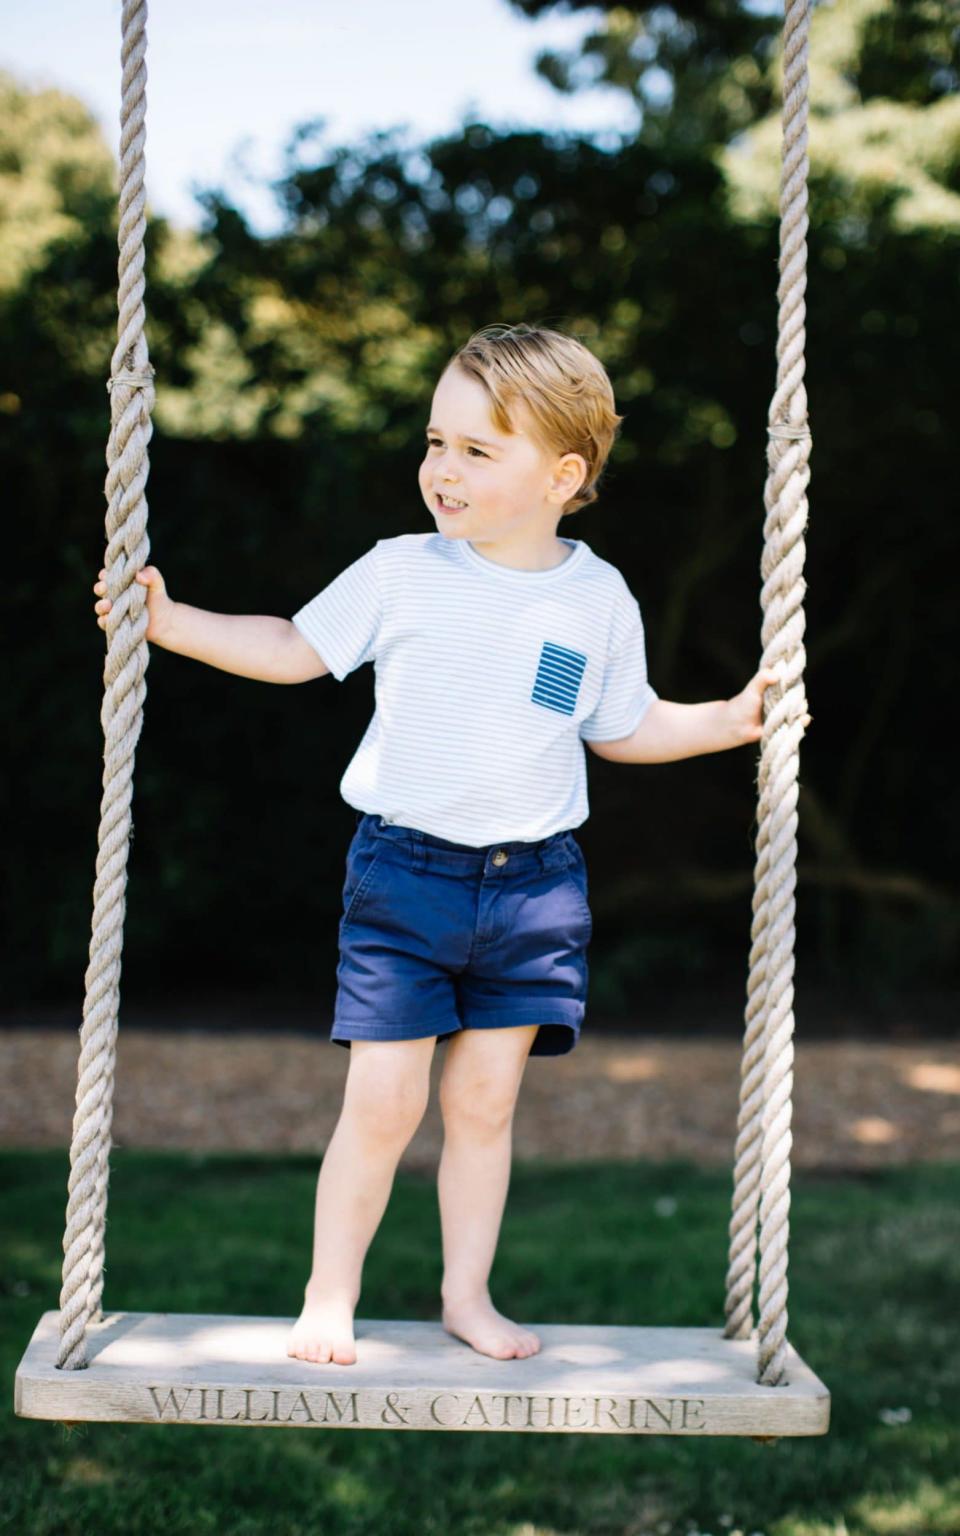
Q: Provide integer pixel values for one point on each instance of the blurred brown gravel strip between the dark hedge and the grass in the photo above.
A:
(858, 1104)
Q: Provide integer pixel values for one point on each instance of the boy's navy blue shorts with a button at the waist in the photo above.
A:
(437, 938)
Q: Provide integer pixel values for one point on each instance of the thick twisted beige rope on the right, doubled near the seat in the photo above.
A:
(764, 1136)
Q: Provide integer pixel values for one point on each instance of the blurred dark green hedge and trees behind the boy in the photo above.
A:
(294, 377)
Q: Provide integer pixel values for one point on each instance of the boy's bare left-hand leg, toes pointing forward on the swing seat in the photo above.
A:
(385, 1102)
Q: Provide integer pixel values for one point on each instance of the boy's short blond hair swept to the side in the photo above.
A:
(563, 386)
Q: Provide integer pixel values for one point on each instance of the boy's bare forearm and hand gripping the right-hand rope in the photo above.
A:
(670, 732)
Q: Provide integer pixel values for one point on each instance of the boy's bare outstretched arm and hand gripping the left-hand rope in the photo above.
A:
(250, 646)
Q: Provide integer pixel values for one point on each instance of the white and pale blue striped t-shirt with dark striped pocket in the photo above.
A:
(488, 684)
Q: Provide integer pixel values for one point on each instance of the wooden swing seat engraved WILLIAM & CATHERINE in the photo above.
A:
(167, 1368)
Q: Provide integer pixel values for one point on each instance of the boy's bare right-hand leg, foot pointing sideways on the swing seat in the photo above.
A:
(478, 1094)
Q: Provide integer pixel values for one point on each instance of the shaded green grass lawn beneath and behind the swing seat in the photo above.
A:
(875, 1289)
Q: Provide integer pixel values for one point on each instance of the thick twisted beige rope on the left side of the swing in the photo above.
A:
(131, 389)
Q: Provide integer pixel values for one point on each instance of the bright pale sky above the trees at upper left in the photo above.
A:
(230, 79)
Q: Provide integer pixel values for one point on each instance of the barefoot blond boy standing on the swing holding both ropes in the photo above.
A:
(502, 647)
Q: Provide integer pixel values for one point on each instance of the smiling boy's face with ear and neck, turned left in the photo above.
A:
(514, 492)
